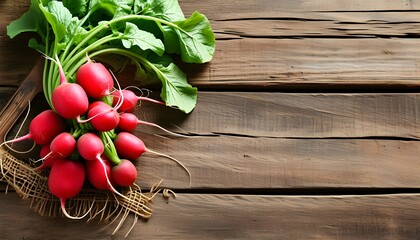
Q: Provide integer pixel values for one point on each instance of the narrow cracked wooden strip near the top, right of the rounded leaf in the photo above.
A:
(279, 24)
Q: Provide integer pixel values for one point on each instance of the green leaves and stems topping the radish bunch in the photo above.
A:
(145, 32)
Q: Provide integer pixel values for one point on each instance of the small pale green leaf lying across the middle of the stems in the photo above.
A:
(133, 36)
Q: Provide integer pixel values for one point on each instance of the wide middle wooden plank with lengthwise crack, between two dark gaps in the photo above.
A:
(291, 141)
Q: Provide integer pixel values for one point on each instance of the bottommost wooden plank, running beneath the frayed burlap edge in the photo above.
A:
(208, 216)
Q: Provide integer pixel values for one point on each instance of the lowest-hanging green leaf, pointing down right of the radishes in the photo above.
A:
(176, 91)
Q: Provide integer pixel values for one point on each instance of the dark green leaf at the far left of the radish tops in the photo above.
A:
(31, 21)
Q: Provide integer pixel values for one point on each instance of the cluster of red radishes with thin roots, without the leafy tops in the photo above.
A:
(87, 134)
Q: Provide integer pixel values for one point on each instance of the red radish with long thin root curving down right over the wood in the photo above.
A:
(131, 147)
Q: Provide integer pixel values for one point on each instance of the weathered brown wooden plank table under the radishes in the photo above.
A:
(306, 127)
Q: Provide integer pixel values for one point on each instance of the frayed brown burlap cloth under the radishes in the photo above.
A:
(32, 185)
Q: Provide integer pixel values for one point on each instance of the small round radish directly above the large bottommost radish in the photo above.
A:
(63, 145)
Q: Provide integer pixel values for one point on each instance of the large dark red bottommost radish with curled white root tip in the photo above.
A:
(66, 180)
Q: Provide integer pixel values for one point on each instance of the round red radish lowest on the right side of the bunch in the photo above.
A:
(124, 174)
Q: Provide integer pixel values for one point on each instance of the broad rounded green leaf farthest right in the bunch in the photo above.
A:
(196, 40)
